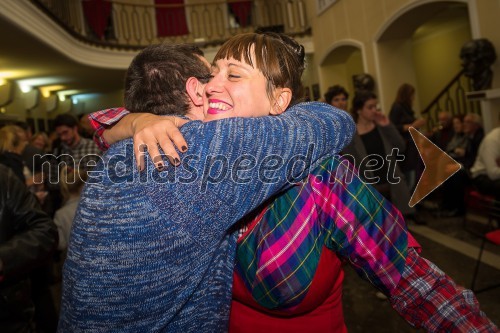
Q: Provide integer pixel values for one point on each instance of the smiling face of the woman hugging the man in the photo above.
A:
(236, 90)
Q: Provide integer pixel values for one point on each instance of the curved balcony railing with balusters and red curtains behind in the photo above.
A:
(131, 24)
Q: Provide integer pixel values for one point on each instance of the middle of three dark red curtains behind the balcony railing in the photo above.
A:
(171, 21)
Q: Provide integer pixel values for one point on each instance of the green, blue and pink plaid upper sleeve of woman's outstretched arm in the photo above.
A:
(363, 227)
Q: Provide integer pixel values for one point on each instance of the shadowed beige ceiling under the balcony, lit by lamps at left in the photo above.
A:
(28, 57)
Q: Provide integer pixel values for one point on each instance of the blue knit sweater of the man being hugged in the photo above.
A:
(154, 252)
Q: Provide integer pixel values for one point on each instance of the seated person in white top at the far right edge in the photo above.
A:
(486, 169)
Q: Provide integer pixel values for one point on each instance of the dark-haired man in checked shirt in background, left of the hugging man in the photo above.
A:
(76, 152)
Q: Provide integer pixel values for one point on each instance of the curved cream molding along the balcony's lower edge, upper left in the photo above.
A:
(30, 19)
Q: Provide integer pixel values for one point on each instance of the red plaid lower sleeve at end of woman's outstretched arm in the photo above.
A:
(428, 298)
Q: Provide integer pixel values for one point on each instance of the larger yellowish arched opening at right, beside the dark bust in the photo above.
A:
(421, 46)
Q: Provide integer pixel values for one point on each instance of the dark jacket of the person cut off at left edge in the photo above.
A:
(28, 238)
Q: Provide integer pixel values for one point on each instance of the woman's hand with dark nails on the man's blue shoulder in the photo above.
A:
(151, 131)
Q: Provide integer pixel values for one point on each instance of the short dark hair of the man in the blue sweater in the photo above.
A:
(156, 79)
